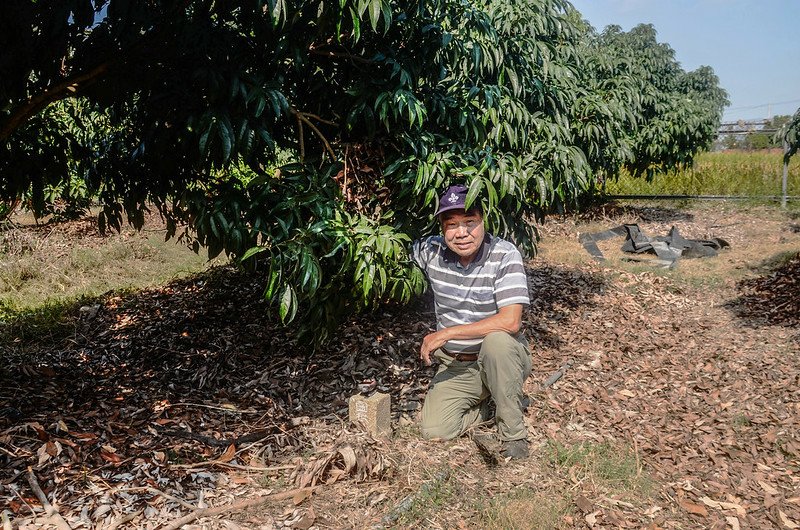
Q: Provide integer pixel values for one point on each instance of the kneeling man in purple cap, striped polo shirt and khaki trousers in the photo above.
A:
(479, 286)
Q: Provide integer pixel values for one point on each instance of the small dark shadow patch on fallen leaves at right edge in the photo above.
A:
(772, 299)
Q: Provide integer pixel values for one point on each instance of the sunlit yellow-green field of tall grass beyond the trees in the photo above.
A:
(725, 173)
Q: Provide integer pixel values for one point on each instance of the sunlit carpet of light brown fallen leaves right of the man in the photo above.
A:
(710, 405)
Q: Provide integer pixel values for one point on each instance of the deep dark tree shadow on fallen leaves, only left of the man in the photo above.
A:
(205, 338)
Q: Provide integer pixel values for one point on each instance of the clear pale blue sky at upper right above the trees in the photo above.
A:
(753, 46)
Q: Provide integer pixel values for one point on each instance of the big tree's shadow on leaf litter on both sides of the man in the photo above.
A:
(198, 364)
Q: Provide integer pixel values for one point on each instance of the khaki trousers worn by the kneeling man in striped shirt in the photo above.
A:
(459, 393)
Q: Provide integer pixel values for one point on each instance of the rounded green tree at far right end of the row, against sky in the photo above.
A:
(638, 109)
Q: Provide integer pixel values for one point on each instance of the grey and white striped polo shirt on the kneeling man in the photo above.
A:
(462, 295)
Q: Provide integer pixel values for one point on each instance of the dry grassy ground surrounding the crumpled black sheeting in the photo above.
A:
(752, 231)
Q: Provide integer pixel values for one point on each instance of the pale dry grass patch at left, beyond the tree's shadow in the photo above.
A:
(59, 263)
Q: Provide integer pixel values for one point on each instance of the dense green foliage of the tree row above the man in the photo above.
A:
(317, 134)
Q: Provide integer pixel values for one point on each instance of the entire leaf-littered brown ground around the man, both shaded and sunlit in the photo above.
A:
(177, 398)
